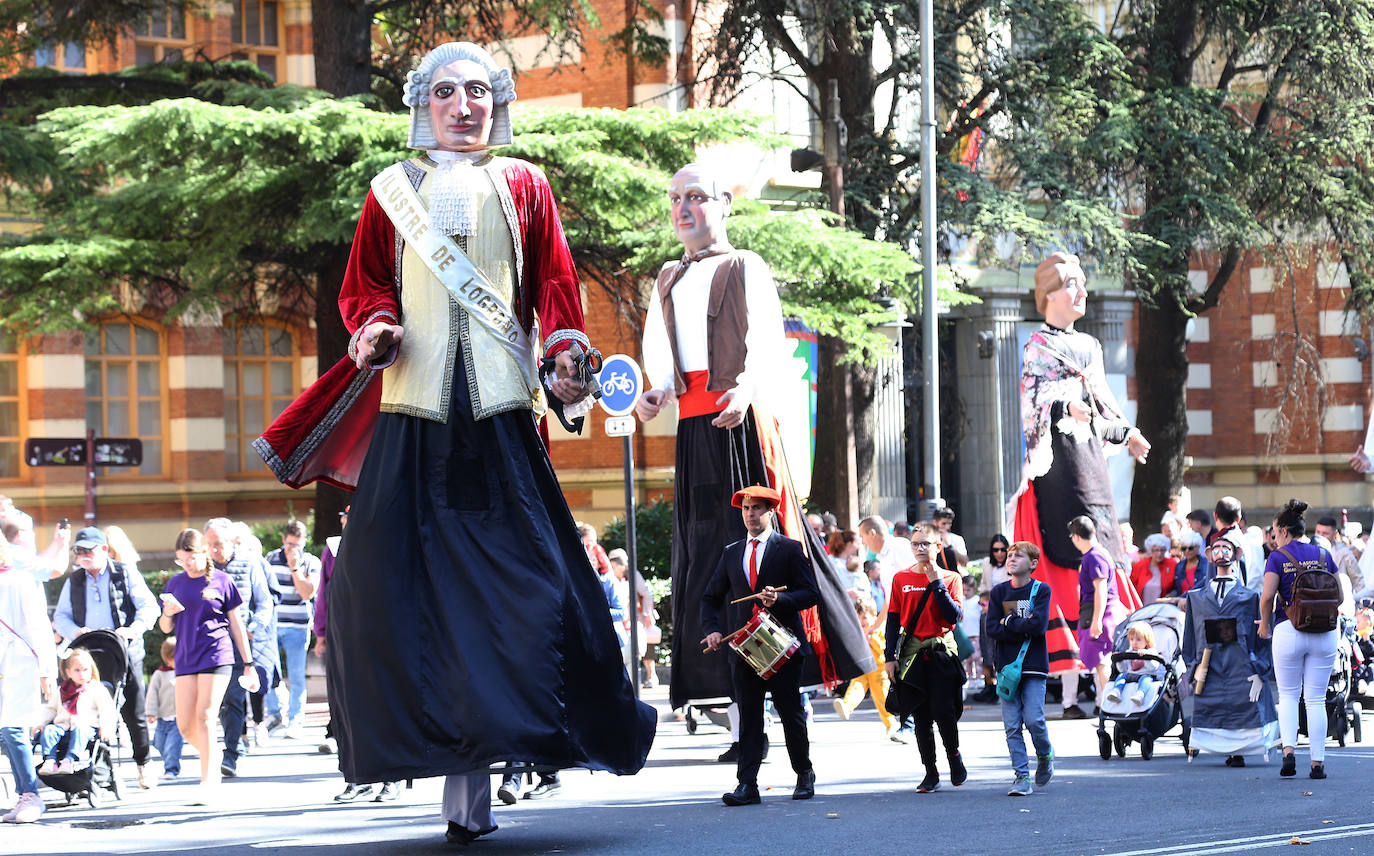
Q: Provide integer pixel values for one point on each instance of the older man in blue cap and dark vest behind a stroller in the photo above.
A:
(104, 594)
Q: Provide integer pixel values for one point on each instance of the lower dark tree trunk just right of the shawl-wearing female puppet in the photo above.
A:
(1162, 373)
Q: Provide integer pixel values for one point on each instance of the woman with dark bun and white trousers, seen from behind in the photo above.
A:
(1302, 662)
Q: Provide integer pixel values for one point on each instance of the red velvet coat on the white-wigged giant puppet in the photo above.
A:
(325, 433)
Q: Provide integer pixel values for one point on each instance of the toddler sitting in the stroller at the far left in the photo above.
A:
(82, 712)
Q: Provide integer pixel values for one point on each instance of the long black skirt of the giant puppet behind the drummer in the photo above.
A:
(714, 464)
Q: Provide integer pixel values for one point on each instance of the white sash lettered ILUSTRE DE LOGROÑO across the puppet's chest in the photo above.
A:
(449, 264)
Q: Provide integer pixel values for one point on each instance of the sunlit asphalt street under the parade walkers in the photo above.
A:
(866, 803)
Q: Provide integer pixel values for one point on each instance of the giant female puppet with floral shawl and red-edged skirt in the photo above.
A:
(1071, 418)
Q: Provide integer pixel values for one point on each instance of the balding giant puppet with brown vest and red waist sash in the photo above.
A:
(714, 339)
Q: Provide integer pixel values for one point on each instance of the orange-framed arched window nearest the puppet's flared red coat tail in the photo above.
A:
(260, 380)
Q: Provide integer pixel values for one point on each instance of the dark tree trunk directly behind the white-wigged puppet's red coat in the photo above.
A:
(343, 36)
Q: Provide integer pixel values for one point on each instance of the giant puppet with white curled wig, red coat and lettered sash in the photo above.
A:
(482, 630)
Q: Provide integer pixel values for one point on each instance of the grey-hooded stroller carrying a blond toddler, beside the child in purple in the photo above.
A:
(1162, 711)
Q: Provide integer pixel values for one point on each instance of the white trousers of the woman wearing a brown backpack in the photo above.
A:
(1303, 667)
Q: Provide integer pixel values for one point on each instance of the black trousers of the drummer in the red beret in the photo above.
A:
(787, 693)
